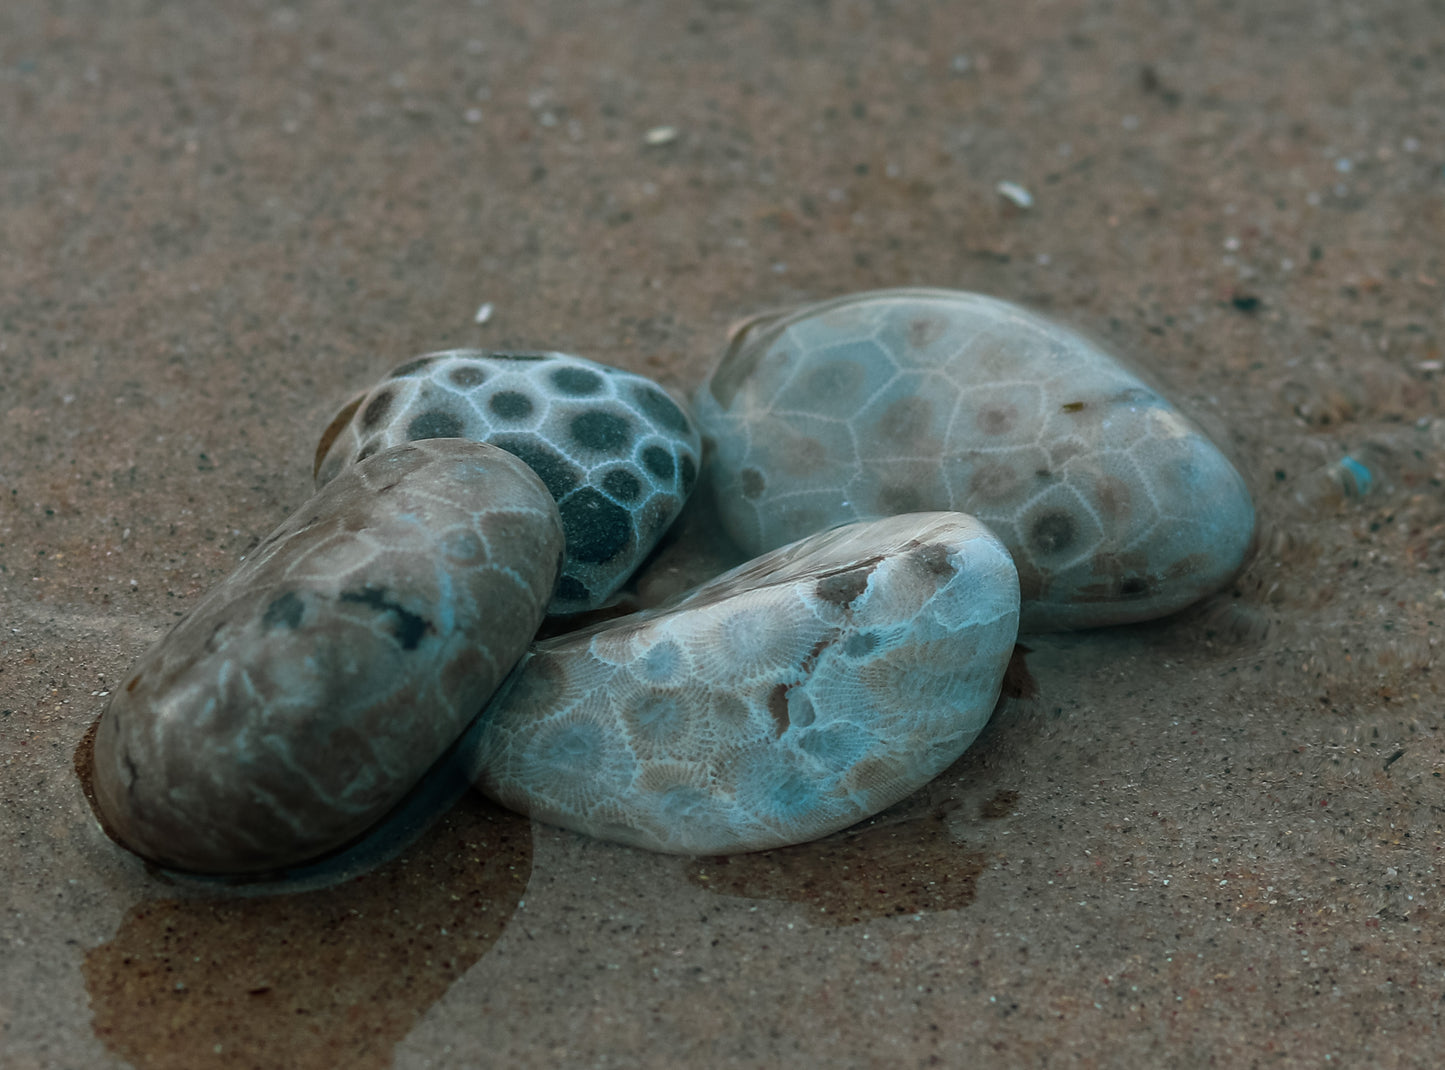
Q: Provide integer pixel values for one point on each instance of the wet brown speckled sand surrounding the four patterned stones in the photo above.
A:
(1212, 841)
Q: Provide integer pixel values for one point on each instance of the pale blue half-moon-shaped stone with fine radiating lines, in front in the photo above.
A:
(781, 702)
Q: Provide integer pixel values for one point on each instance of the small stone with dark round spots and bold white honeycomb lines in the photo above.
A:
(618, 453)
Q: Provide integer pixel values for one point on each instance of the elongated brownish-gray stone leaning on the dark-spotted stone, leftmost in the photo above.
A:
(313, 689)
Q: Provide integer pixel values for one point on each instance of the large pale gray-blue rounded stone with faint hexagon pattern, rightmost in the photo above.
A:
(1115, 507)
